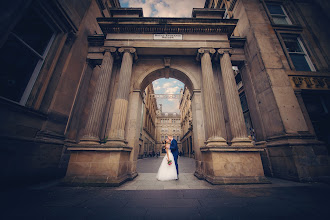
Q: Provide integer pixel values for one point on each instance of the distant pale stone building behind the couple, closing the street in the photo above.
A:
(168, 123)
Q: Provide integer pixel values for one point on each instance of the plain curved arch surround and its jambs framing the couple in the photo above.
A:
(135, 108)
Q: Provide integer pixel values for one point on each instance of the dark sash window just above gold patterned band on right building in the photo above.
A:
(297, 53)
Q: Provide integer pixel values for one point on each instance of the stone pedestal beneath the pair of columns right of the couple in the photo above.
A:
(232, 165)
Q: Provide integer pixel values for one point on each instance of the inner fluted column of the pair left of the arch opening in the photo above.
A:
(117, 129)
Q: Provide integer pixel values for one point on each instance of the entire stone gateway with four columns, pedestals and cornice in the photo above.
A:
(221, 159)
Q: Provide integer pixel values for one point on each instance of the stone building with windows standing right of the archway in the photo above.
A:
(286, 64)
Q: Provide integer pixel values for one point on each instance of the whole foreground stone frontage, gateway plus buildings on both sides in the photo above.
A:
(72, 97)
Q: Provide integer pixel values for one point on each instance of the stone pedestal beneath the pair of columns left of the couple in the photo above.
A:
(98, 166)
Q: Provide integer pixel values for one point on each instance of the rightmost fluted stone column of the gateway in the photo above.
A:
(236, 119)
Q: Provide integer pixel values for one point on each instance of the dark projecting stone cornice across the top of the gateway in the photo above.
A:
(167, 25)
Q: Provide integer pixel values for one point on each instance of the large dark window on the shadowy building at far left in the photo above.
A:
(22, 56)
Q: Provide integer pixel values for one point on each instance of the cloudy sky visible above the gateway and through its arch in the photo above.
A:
(165, 8)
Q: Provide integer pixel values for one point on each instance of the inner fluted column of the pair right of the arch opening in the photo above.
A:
(214, 116)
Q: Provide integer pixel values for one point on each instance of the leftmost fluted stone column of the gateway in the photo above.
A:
(92, 128)
